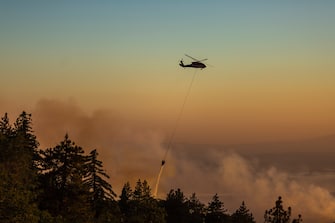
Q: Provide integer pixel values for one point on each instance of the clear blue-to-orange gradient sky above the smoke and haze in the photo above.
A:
(272, 72)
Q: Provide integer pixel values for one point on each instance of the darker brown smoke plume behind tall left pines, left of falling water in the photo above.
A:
(128, 153)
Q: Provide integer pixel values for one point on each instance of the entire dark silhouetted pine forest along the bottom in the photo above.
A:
(62, 184)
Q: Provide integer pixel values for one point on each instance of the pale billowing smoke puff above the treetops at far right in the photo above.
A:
(258, 186)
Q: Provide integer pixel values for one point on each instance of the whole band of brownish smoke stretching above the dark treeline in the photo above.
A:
(130, 152)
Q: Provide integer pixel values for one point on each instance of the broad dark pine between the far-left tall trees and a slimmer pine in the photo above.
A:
(62, 172)
